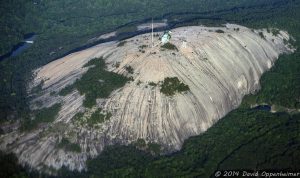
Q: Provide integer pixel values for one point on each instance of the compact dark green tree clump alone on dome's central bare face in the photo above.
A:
(171, 85)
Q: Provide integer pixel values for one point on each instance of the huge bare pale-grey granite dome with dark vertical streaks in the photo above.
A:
(220, 66)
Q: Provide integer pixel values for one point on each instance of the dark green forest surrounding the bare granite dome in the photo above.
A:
(266, 140)
